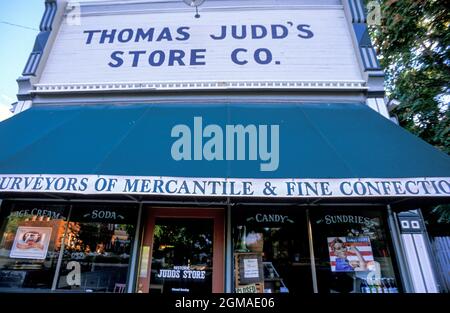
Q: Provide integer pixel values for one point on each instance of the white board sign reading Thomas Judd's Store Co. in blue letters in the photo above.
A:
(221, 47)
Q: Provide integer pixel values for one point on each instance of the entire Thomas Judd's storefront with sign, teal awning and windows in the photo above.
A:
(243, 148)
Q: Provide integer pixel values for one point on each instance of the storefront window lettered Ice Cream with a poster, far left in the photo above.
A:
(30, 243)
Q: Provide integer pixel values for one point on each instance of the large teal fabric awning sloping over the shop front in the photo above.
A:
(335, 141)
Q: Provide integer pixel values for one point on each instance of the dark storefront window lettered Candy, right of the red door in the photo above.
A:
(271, 253)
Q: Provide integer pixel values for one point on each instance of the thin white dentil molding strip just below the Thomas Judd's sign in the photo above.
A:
(206, 85)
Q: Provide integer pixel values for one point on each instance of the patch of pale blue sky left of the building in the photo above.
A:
(16, 44)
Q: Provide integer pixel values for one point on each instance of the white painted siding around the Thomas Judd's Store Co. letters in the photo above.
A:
(328, 56)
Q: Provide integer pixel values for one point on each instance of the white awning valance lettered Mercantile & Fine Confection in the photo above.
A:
(231, 187)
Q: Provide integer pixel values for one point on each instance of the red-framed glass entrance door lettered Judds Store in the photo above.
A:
(185, 251)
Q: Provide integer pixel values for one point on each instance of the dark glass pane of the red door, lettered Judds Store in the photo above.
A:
(182, 255)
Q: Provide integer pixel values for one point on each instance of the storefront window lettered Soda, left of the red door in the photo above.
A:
(97, 249)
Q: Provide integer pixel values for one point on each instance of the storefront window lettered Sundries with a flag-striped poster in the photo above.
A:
(352, 251)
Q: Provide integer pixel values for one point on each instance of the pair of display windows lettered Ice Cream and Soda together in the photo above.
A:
(93, 257)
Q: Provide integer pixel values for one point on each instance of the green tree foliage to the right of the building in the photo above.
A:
(413, 42)
